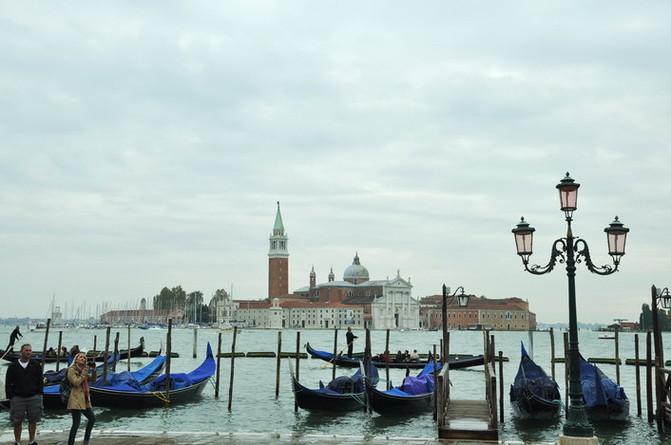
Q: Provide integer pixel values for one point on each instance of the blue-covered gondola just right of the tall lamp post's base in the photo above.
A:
(604, 399)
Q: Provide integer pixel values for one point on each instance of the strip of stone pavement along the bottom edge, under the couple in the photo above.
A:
(107, 437)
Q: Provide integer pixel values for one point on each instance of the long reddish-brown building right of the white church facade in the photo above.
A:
(482, 313)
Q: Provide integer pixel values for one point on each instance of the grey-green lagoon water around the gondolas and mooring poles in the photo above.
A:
(255, 408)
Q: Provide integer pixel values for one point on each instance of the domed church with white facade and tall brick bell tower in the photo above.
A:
(355, 301)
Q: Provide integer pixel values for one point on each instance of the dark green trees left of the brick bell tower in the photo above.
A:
(192, 303)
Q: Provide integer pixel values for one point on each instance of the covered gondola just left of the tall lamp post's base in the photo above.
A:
(533, 394)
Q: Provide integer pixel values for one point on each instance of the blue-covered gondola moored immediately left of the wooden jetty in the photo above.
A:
(414, 396)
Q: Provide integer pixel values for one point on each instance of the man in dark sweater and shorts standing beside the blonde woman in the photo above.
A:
(23, 386)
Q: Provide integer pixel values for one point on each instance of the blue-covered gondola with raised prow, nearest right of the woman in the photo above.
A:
(184, 387)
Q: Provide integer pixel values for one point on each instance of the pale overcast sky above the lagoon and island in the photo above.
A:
(145, 145)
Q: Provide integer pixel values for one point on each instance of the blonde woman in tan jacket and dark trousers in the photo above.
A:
(79, 401)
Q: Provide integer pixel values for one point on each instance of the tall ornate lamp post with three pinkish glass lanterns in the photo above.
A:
(572, 250)
